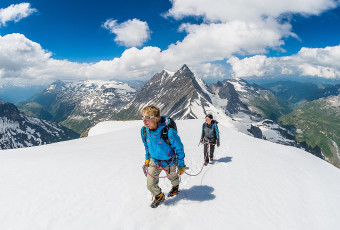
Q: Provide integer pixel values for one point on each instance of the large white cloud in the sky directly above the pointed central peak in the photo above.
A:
(211, 42)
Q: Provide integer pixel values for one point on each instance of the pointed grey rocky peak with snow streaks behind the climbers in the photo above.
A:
(181, 95)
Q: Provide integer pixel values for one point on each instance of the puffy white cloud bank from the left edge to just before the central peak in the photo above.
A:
(22, 59)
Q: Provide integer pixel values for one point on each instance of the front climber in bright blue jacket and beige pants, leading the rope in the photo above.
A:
(162, 152)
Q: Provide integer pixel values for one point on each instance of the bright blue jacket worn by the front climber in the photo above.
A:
(157, 149)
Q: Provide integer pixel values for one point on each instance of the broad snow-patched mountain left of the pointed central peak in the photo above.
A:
(79, 105)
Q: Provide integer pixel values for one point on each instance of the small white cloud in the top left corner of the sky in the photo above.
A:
(15, 12)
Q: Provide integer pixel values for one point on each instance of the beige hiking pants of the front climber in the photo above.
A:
(152, 183)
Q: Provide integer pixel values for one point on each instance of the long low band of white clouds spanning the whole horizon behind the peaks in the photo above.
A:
(22, 61)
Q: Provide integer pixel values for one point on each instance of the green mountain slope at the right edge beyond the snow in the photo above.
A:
(318, 124)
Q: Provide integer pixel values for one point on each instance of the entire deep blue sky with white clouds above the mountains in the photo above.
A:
(42, 41)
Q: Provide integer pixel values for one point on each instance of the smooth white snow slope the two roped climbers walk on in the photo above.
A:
(97, 183)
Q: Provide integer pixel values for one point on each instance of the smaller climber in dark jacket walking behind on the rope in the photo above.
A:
(210, 137)
